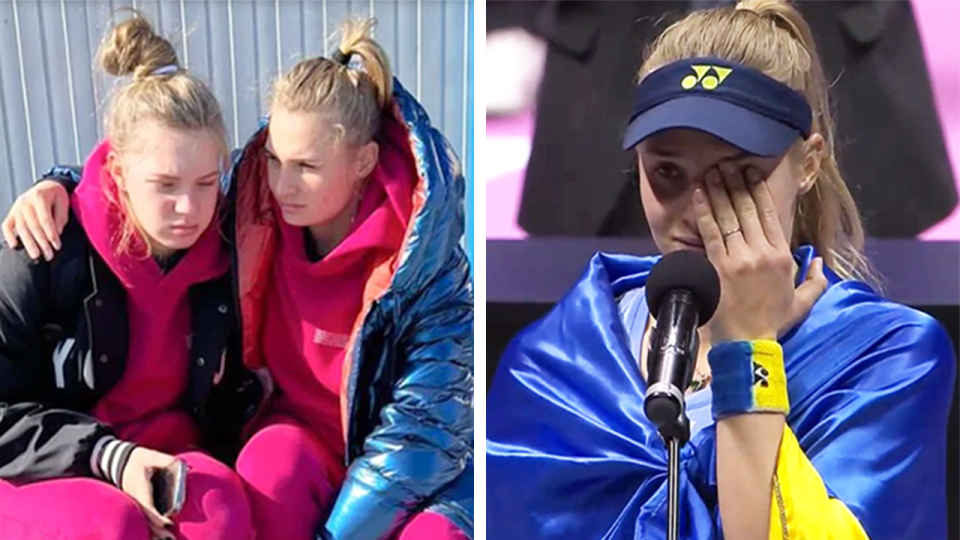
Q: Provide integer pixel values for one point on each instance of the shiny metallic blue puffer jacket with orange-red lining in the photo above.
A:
(408, 404)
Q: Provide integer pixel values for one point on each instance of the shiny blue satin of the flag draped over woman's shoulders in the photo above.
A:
(570, 454)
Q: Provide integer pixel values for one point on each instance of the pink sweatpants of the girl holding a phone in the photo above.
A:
(87, 509)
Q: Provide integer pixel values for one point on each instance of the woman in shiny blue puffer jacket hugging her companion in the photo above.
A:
(346, 216)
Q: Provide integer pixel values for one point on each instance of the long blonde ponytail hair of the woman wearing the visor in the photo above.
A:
(773, 37)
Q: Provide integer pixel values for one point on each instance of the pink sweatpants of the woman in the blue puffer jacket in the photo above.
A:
(292, 480)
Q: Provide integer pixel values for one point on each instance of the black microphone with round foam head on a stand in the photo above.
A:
(683, 290)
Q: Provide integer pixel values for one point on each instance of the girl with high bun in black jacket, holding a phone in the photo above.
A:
(117, 356)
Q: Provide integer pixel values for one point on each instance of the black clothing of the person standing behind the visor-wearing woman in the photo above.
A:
(579, 182)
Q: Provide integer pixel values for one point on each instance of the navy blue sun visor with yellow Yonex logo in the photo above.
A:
(735, 103)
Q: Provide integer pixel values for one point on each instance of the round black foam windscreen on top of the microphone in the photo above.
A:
(688, 270)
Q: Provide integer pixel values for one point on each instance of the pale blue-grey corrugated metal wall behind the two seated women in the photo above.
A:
(51, 98)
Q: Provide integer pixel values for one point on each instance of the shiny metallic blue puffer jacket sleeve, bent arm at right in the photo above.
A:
(425, 437)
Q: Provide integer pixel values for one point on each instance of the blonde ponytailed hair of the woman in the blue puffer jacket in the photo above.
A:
(349, 95)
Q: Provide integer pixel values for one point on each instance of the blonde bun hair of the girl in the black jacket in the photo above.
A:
(159, 90)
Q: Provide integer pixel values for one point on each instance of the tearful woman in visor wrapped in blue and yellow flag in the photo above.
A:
(816, 408)
